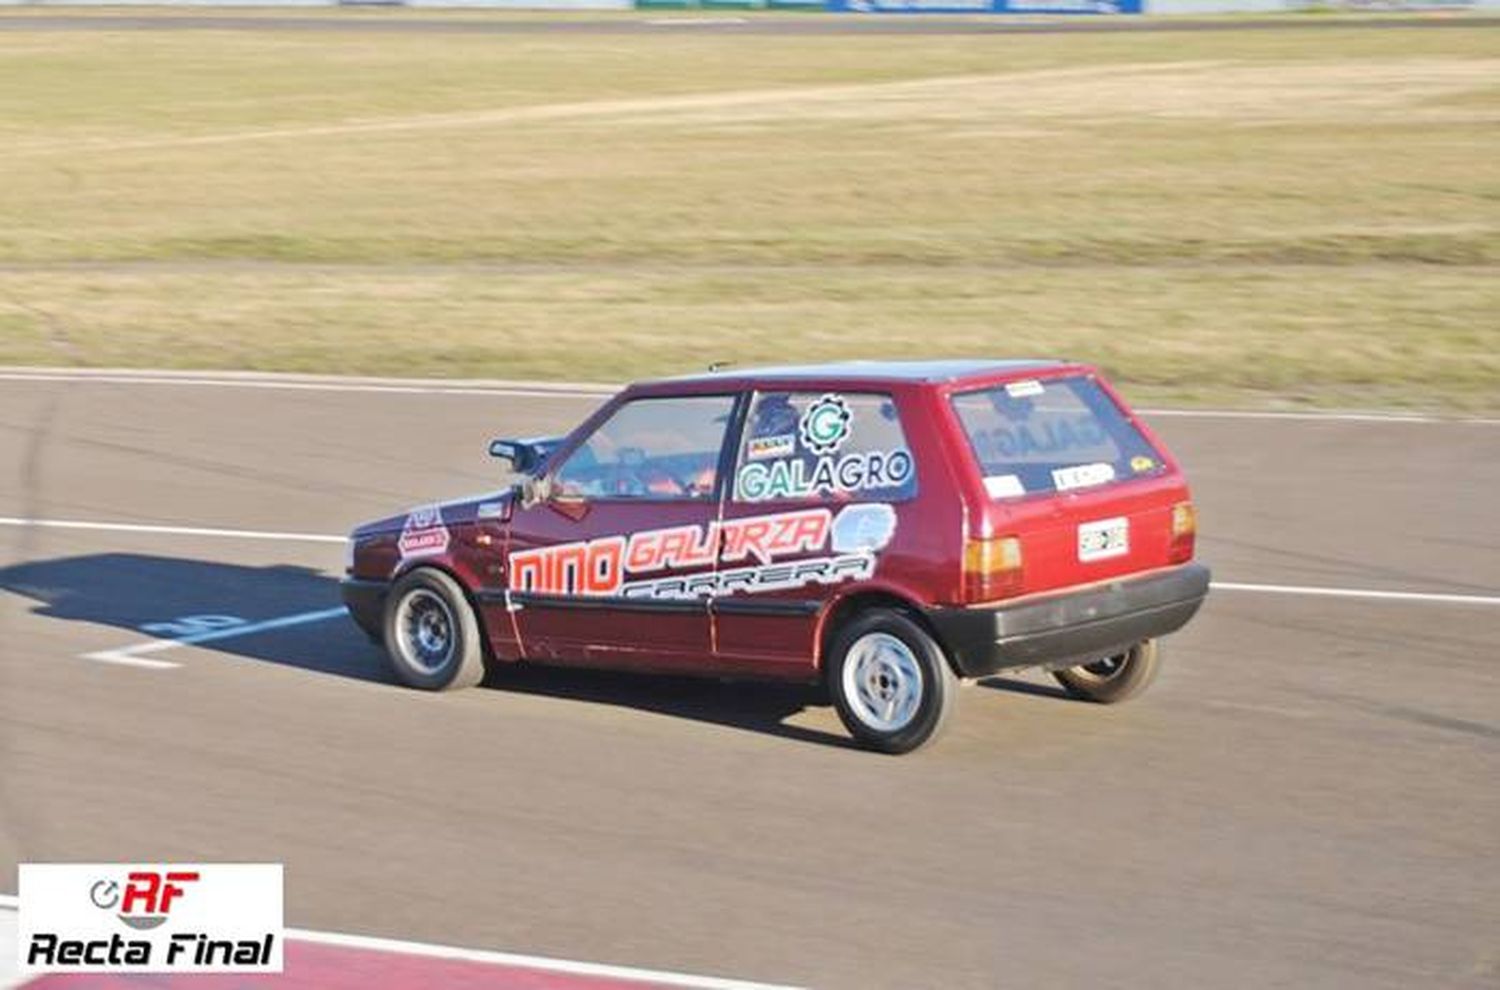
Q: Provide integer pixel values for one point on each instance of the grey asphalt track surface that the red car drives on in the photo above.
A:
(1306, 799)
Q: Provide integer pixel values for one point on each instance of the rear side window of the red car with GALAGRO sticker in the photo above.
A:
(824, 446)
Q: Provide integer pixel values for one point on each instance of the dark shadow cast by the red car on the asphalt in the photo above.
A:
(149, 596)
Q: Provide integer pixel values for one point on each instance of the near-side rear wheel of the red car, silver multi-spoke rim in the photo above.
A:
(890, 682)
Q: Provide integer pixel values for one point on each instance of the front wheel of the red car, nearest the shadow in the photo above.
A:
(433, 638)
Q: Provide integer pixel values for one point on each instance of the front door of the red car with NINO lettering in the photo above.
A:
(614, 563)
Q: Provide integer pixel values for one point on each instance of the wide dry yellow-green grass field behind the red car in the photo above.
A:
(1238, 217)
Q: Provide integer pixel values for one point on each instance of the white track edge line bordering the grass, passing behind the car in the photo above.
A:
(569, 391)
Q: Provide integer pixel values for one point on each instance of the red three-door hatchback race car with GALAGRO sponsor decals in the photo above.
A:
(886, 529)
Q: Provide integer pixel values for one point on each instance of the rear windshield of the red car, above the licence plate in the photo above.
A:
(1054, 436)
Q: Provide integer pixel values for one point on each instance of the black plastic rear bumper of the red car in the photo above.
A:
(1070, 628)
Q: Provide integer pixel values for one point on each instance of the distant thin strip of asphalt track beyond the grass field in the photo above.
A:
(707, 22)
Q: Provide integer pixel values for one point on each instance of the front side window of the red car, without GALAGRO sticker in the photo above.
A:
(652, 449)
